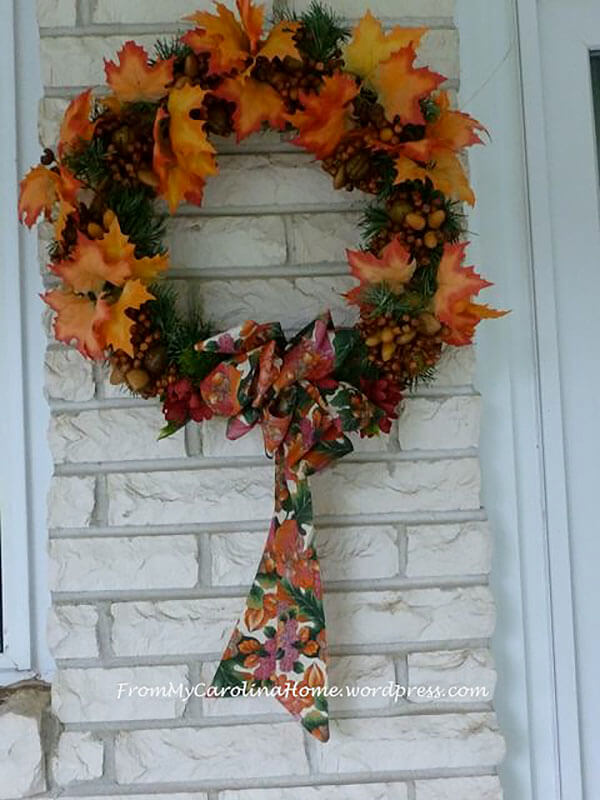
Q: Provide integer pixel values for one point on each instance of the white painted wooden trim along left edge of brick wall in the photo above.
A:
(24, 476)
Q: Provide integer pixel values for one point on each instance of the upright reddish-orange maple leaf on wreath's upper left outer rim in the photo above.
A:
(133, 79)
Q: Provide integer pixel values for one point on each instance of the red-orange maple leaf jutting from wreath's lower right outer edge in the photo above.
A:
(456, 286)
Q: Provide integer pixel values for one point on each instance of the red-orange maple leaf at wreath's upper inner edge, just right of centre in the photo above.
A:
(324, 120)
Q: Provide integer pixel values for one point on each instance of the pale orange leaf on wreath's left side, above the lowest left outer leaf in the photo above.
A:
(88, 267)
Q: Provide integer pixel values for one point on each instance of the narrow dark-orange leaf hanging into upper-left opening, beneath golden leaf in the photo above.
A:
(175, 182)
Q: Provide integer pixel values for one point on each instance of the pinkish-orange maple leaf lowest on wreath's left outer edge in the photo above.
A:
(79, 320)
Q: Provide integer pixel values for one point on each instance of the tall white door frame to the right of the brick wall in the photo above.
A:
(523, 438)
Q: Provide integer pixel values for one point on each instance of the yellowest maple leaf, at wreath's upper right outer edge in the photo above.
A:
(370, 45)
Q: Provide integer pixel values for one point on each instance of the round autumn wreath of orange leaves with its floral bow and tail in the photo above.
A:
(378, 124)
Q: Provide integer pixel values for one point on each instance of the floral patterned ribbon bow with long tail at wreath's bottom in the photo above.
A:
(304, 413)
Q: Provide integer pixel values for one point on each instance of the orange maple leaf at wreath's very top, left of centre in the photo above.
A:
(220, 35)
